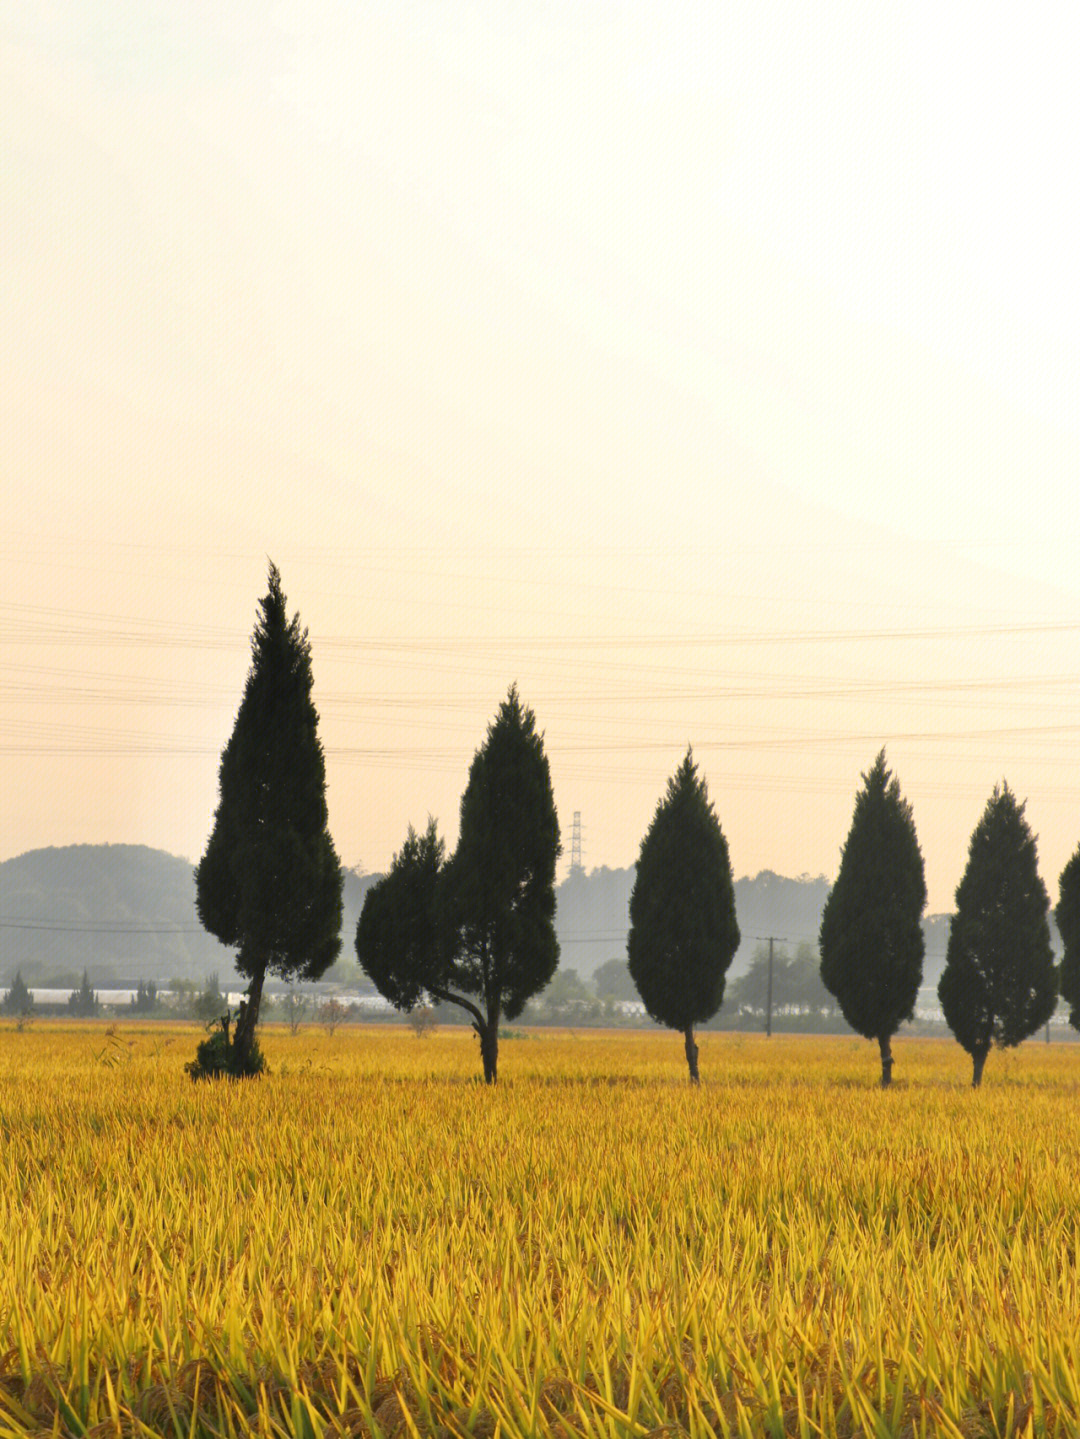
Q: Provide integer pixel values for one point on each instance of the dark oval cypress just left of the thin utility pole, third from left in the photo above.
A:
(684, 933)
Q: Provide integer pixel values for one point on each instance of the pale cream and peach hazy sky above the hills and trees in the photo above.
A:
(711, 372)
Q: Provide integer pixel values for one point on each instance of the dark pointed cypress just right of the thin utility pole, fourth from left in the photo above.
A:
(872, 942)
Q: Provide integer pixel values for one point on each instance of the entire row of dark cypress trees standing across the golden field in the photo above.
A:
(477, 929)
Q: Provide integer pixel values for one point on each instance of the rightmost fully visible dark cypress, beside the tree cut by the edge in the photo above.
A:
(999, 984)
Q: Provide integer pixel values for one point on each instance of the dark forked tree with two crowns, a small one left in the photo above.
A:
(477, 932)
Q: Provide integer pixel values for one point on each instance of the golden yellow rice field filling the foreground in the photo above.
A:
(370, 1243)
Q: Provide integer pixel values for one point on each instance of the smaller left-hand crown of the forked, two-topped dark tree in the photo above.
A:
(401, 938)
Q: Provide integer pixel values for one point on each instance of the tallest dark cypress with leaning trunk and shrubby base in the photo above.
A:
(270, 881)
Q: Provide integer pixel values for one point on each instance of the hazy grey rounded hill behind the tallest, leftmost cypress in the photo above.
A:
(122, 912)
